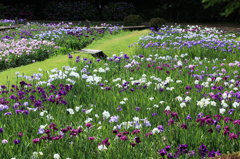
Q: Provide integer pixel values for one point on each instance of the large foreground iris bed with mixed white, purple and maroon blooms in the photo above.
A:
(144, 106)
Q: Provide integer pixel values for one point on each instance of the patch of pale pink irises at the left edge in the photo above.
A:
(22, 52)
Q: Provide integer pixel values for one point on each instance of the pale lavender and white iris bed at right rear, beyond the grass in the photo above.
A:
(197, 41)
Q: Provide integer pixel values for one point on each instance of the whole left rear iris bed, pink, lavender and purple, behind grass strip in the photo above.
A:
(37, 42)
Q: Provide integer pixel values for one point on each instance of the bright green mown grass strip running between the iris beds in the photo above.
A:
(109, 44)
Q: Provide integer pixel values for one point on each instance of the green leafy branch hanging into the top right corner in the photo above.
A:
(230, 5)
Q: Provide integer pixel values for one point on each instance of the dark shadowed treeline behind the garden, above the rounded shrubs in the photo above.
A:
(171, 10)
